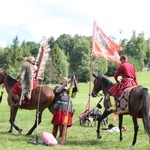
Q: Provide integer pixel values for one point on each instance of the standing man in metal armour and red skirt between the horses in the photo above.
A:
(61, 105)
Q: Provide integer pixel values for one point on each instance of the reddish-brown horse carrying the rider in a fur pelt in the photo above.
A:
(42, 97)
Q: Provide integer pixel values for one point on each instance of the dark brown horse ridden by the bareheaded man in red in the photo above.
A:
(139, 101)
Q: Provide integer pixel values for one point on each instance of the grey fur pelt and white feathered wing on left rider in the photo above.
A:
(36, 71)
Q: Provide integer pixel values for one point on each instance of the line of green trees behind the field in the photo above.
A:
(72, 55)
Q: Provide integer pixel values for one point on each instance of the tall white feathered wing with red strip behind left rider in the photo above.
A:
(42, 58)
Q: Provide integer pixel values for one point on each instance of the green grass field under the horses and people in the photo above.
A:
(78, 137)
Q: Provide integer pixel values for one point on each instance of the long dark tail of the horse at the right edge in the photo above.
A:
(146, 110)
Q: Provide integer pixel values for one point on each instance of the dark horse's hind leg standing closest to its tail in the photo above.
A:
(136, 127)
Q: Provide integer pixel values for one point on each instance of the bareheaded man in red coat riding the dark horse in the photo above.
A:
(129, 79)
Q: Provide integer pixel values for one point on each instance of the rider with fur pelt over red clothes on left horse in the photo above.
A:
(22, 89)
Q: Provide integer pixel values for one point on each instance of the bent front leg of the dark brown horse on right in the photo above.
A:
(104, 115)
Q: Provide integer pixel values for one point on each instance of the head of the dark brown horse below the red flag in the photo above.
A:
(97, 86)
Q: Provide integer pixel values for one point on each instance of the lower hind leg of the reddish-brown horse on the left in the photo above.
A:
(37, 122)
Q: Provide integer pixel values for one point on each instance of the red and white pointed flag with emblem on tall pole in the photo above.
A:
(103, 46)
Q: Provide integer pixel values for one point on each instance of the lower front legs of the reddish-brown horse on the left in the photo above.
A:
(13, 112)
